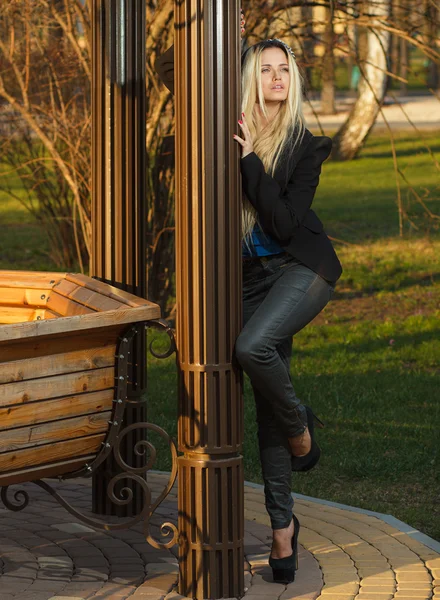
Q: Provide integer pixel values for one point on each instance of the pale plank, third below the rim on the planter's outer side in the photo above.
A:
(44, 388)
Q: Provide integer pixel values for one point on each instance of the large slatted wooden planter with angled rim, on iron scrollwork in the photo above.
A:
(59, 335)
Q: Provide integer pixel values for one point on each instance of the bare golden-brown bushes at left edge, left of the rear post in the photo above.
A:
(45, 93)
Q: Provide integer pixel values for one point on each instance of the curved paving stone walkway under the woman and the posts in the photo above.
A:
(46, 554)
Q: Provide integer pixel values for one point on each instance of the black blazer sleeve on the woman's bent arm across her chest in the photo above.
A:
(281, 211)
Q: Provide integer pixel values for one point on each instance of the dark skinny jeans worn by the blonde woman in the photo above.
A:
(280, 297)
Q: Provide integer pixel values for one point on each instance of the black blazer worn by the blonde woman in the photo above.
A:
(283, 202)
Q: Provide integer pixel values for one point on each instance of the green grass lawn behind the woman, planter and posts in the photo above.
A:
(370, 363)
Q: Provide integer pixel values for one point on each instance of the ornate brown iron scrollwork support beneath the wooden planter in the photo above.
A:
(113, 444)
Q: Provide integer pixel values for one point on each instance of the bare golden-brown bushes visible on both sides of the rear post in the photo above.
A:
(45, 119)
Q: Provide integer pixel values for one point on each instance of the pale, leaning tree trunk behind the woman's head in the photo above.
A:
(372, 86)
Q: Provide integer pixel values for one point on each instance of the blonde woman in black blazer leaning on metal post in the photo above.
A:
(289, 271)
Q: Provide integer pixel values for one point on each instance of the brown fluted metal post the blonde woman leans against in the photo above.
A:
(208, 277)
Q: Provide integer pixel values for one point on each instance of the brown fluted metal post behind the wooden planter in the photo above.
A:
(119, 190)
